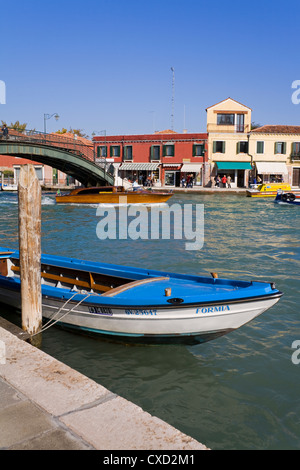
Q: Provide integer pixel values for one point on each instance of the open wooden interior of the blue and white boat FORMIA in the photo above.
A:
(75, 279)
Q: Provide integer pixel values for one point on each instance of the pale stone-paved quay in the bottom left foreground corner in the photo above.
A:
(46, 405)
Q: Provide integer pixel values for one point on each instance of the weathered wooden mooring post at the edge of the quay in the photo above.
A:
(29, 196)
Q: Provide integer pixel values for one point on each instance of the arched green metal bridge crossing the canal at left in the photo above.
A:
(71, 156)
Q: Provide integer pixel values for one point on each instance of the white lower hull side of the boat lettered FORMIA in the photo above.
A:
(196, 323)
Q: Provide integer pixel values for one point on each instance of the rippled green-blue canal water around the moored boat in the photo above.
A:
(240, 391)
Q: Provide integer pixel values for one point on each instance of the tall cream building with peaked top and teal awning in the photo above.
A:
(228, 128)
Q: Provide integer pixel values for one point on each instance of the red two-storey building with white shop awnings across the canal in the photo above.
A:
(167, 158)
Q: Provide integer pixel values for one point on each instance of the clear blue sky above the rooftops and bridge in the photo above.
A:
(106, 65)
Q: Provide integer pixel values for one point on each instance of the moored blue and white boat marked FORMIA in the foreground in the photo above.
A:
(137, 304)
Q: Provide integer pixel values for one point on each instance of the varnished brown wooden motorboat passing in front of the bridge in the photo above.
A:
(112, 195)
